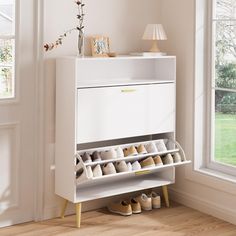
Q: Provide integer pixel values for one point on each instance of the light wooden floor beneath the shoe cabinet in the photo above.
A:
(177, 220)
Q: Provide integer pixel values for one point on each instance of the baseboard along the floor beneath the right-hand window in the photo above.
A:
(203, 205)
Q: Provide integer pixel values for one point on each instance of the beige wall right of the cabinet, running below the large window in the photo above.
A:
(205, 193)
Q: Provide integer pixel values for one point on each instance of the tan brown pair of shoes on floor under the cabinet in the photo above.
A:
(125, 208)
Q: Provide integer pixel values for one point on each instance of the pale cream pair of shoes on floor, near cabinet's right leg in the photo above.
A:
(150, 201)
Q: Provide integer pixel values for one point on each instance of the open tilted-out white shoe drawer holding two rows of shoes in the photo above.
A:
(144, 171)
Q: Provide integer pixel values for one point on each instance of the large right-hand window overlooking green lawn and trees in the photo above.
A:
(222, 103)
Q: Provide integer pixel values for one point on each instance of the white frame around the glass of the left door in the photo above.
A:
(15, 36)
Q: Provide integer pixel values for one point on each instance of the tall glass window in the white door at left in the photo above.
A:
(7, 48)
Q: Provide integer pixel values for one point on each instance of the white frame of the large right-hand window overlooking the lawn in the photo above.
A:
(210, 161)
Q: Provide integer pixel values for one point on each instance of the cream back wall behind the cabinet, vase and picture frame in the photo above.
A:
(122, 20)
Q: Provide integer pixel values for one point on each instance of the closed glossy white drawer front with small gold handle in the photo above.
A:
(116, 112)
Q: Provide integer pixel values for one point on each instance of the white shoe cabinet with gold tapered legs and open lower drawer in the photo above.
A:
(104, 103)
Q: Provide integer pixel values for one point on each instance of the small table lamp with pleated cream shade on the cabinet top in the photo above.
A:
(154, 32)
